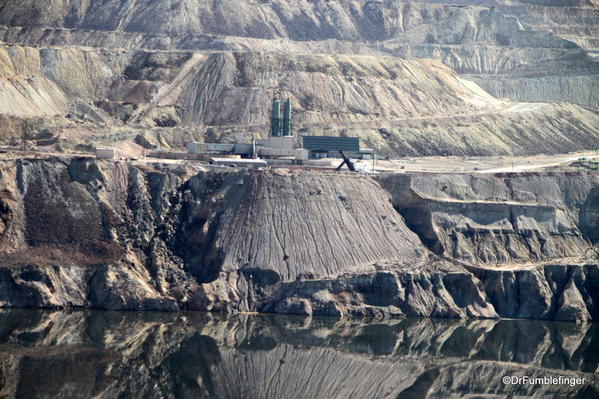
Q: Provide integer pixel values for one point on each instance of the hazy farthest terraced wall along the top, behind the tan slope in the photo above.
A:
(530, 51)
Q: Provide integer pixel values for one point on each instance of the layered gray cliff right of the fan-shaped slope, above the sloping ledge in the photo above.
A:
(499, 219)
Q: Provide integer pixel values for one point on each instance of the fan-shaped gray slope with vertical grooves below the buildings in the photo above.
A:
(300, 225)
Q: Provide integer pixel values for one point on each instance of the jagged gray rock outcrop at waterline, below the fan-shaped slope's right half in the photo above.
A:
(387, 294)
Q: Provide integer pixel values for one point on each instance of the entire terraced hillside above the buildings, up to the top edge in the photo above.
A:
(89, 71)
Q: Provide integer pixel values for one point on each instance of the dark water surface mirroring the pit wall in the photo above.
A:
(124, 354)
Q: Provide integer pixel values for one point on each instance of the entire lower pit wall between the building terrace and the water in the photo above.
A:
(85, 233)
